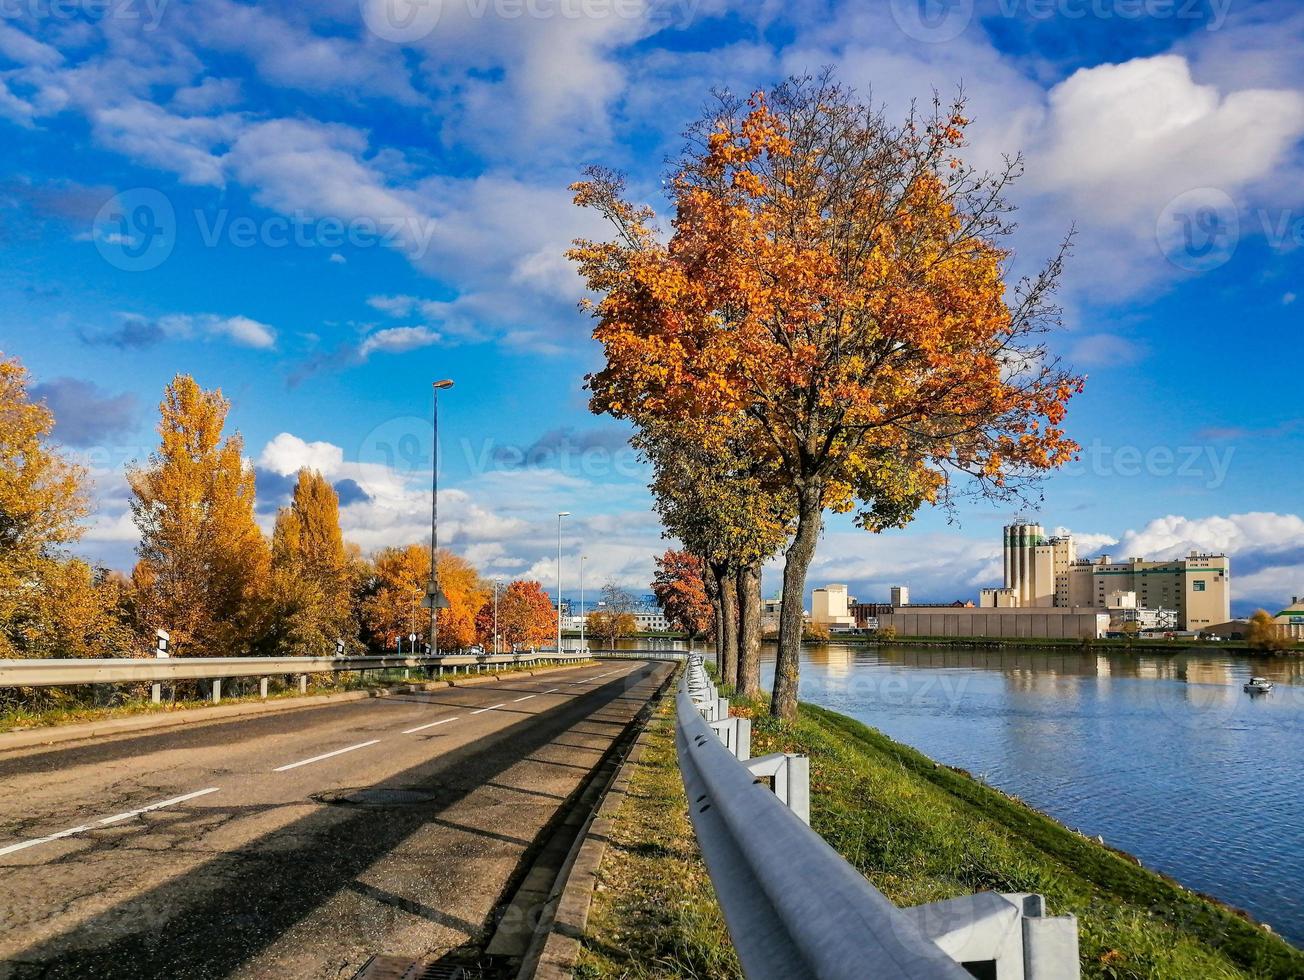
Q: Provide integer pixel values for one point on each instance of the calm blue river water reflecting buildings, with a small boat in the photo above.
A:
(1165, 758)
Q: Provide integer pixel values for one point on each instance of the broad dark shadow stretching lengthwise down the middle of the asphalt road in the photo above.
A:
(222, 914)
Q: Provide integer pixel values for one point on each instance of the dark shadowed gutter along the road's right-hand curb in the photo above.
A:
(517, 918)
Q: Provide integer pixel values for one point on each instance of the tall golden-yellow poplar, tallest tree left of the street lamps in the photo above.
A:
(203, 564)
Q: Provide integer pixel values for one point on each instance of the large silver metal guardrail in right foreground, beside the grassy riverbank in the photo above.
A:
(797, 910)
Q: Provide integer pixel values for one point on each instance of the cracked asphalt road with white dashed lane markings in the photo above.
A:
(299, 844)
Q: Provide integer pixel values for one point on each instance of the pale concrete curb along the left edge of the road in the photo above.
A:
(55, 736)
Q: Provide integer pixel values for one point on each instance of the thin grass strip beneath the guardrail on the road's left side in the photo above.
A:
(44, 708)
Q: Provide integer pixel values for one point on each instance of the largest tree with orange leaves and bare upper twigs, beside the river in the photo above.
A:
(840, 283)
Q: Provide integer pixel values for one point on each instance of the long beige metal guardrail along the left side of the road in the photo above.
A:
(72, 673)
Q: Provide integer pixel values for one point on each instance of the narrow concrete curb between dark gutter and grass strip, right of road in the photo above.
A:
(573, 896)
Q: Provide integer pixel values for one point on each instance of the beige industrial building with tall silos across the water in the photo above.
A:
(1045, 571)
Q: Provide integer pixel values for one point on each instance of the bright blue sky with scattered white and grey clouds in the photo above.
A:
(321, 208)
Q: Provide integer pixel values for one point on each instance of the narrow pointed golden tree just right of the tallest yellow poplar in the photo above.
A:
(311, 571)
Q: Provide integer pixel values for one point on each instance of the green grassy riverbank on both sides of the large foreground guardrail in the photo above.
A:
(920, 832)
